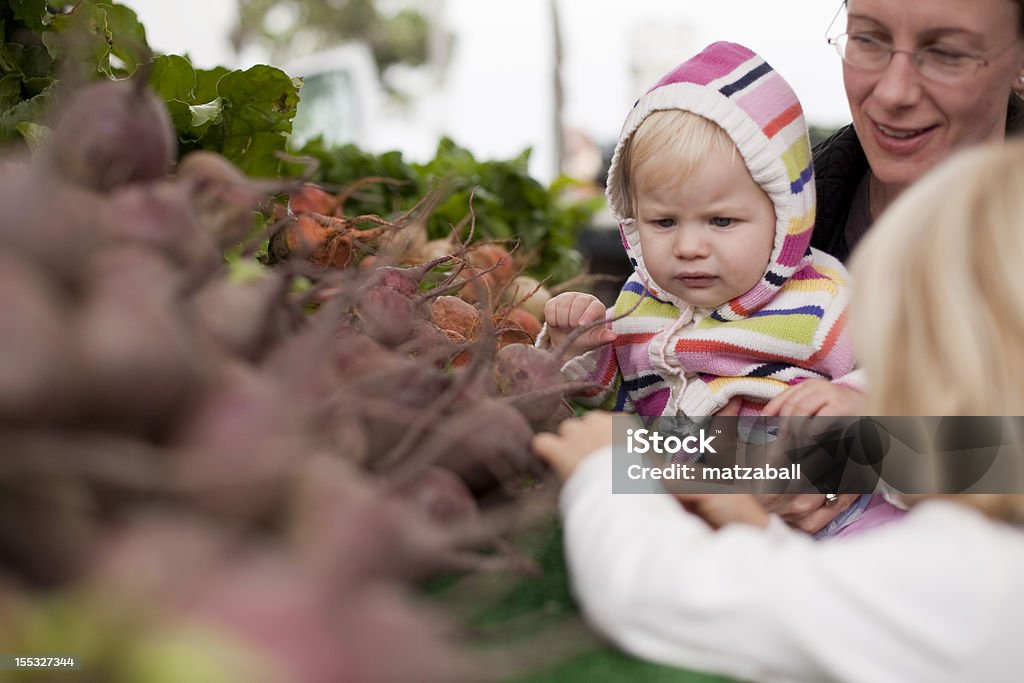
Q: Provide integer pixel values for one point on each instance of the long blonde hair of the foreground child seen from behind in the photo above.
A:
(938, 310)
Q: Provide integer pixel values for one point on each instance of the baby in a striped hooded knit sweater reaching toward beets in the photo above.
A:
(729, 308)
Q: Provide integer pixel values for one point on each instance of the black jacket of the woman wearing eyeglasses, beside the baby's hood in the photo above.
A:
(840, 164)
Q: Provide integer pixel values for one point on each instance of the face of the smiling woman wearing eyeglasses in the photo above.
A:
(908, 123)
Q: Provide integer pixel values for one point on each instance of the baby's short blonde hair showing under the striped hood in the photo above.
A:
(670, 145)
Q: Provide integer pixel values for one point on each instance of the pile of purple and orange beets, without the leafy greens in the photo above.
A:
(225, 475)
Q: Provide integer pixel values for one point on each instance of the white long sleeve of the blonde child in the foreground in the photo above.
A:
(902, 604)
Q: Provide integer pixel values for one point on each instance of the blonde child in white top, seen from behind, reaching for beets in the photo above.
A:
(932, 597)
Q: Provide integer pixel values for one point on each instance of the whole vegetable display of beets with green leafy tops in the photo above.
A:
(313, 465)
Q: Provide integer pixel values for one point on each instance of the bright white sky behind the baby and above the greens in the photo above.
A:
(497, 96)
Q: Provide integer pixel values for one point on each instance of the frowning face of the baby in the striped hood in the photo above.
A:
(707, 240)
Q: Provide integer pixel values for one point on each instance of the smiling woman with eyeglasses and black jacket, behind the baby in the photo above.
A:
(924, 78)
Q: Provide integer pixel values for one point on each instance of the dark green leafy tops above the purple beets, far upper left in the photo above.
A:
(245, 115)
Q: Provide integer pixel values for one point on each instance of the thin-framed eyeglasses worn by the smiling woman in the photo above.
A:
(935, 63)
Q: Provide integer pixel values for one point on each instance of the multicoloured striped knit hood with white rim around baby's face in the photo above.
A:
(737, 90)
